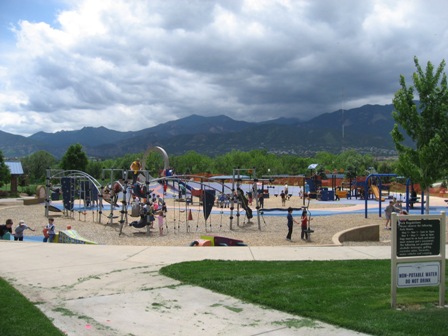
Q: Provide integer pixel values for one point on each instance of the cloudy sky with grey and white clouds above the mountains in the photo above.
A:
(133, 64)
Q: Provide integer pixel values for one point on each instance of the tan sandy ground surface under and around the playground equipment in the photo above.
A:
(273, 228)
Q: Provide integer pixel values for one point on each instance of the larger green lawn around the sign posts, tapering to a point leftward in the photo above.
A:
(350, 294)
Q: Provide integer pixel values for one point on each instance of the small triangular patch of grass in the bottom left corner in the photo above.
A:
(19, 317)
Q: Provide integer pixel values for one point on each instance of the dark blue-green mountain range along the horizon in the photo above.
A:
(366, 129)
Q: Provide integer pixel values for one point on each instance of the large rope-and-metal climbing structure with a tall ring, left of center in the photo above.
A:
(83, 194)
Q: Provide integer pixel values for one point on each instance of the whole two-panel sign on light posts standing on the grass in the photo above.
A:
(418, 253)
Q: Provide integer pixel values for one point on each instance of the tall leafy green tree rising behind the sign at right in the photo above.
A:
(425, 123)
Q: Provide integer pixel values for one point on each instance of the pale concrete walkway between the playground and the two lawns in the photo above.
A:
(117, 290)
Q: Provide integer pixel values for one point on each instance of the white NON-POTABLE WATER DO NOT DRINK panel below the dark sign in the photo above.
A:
(418, 274)
